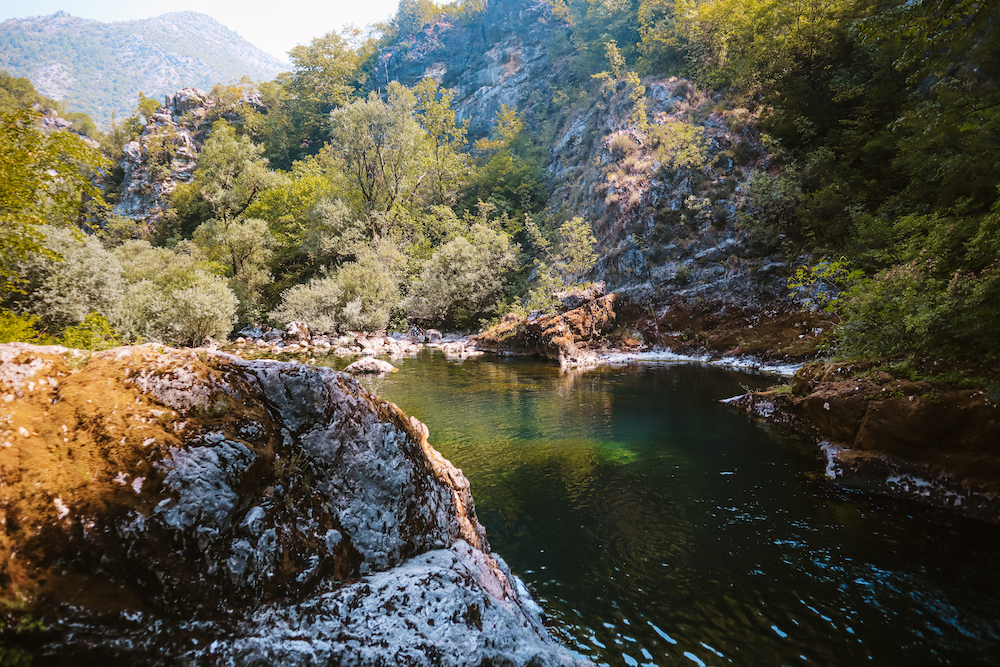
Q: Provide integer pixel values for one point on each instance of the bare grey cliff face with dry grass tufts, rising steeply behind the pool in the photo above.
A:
(669, 235)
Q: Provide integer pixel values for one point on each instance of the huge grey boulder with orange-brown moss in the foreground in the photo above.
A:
(193, 507)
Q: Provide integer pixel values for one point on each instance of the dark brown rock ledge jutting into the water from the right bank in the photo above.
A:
(881, 433)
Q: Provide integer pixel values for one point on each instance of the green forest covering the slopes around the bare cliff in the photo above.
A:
(323, 197)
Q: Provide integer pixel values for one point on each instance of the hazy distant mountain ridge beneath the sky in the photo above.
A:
(99, 68)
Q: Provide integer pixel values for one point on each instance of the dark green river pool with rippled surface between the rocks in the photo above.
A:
(658, 527)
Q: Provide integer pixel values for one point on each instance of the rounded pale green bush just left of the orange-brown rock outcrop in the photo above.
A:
(463, 281)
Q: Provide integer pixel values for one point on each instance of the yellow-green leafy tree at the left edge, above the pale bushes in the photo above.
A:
(44, 179)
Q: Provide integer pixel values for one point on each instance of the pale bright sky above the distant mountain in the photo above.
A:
(274, 27)
